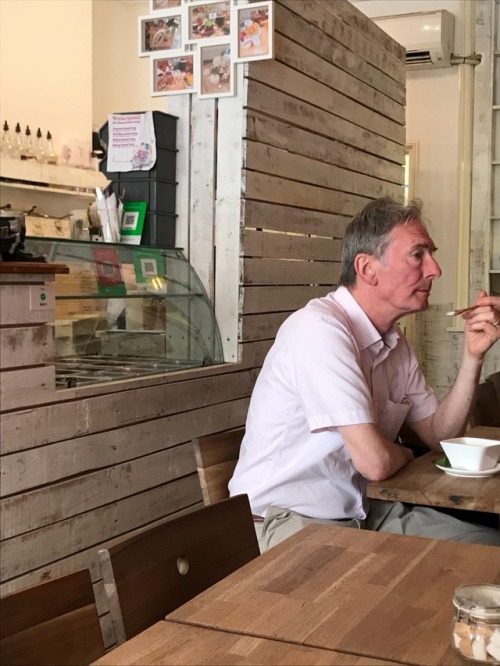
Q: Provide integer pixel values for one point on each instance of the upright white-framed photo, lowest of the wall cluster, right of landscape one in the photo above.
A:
(216, 71)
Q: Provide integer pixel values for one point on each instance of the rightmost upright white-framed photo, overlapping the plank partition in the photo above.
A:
(253, 34)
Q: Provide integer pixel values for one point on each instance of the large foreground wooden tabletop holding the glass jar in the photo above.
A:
(366, 593)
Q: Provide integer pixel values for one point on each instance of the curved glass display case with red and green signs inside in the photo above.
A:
(127, 311)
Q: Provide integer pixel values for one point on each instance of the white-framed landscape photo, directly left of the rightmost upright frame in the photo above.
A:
(208, 20)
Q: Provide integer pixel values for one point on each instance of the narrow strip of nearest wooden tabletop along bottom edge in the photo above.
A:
(173, 643)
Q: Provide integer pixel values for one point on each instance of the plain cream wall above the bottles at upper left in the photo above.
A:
(66, 64)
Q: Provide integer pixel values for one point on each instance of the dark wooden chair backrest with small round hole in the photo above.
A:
(154, 572)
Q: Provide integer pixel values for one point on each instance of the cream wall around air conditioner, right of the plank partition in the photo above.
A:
(433, 123)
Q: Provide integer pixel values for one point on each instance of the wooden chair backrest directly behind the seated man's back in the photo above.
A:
(216, 457)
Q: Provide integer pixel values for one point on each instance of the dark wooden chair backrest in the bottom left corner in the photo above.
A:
(52, 623)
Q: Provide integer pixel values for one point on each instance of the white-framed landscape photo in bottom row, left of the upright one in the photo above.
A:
(172, 74)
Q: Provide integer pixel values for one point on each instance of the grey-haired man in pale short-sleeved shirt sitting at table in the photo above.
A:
(340, 381)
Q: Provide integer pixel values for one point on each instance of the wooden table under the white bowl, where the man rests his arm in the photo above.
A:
(421, 482)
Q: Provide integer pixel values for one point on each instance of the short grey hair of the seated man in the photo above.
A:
(368, 232)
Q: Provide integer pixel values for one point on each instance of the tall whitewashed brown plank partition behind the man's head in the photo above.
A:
(325, 134)
